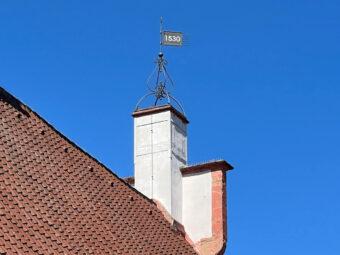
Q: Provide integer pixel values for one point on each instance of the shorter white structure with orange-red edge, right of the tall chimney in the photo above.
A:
(204, 205)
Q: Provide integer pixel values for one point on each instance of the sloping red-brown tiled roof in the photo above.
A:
(57, 199)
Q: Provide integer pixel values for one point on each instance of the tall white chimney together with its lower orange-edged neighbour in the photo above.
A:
(193, 197)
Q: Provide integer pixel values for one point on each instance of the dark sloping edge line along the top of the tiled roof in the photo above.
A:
(18, 103)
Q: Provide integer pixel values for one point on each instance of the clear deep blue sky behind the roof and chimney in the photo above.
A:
(259, 80)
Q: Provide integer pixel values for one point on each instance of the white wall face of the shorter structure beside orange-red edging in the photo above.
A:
(197, 205)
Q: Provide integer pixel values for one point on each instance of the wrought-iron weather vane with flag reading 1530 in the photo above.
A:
(160, 78)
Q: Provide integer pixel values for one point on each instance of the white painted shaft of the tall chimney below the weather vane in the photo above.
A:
(160, 149)
